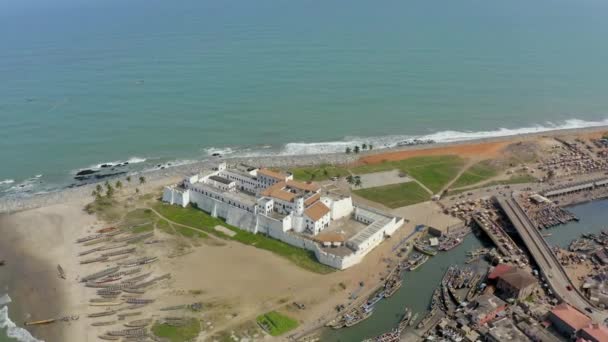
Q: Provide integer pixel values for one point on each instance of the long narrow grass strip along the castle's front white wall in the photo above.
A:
(199, 219)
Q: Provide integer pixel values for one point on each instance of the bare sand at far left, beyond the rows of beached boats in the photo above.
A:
(33, 243)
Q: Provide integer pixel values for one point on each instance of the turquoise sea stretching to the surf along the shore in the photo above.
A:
(86, 82)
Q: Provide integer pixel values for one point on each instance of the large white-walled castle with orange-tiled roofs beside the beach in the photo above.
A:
(298, 213)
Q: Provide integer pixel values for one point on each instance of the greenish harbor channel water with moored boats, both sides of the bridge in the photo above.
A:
(416, 294)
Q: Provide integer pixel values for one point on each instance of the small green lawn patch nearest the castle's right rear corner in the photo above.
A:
(396, 195)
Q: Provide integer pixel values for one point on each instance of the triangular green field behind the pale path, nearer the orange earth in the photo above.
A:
(432, 171)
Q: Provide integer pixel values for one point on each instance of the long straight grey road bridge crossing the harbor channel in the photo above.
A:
(549, 266)
